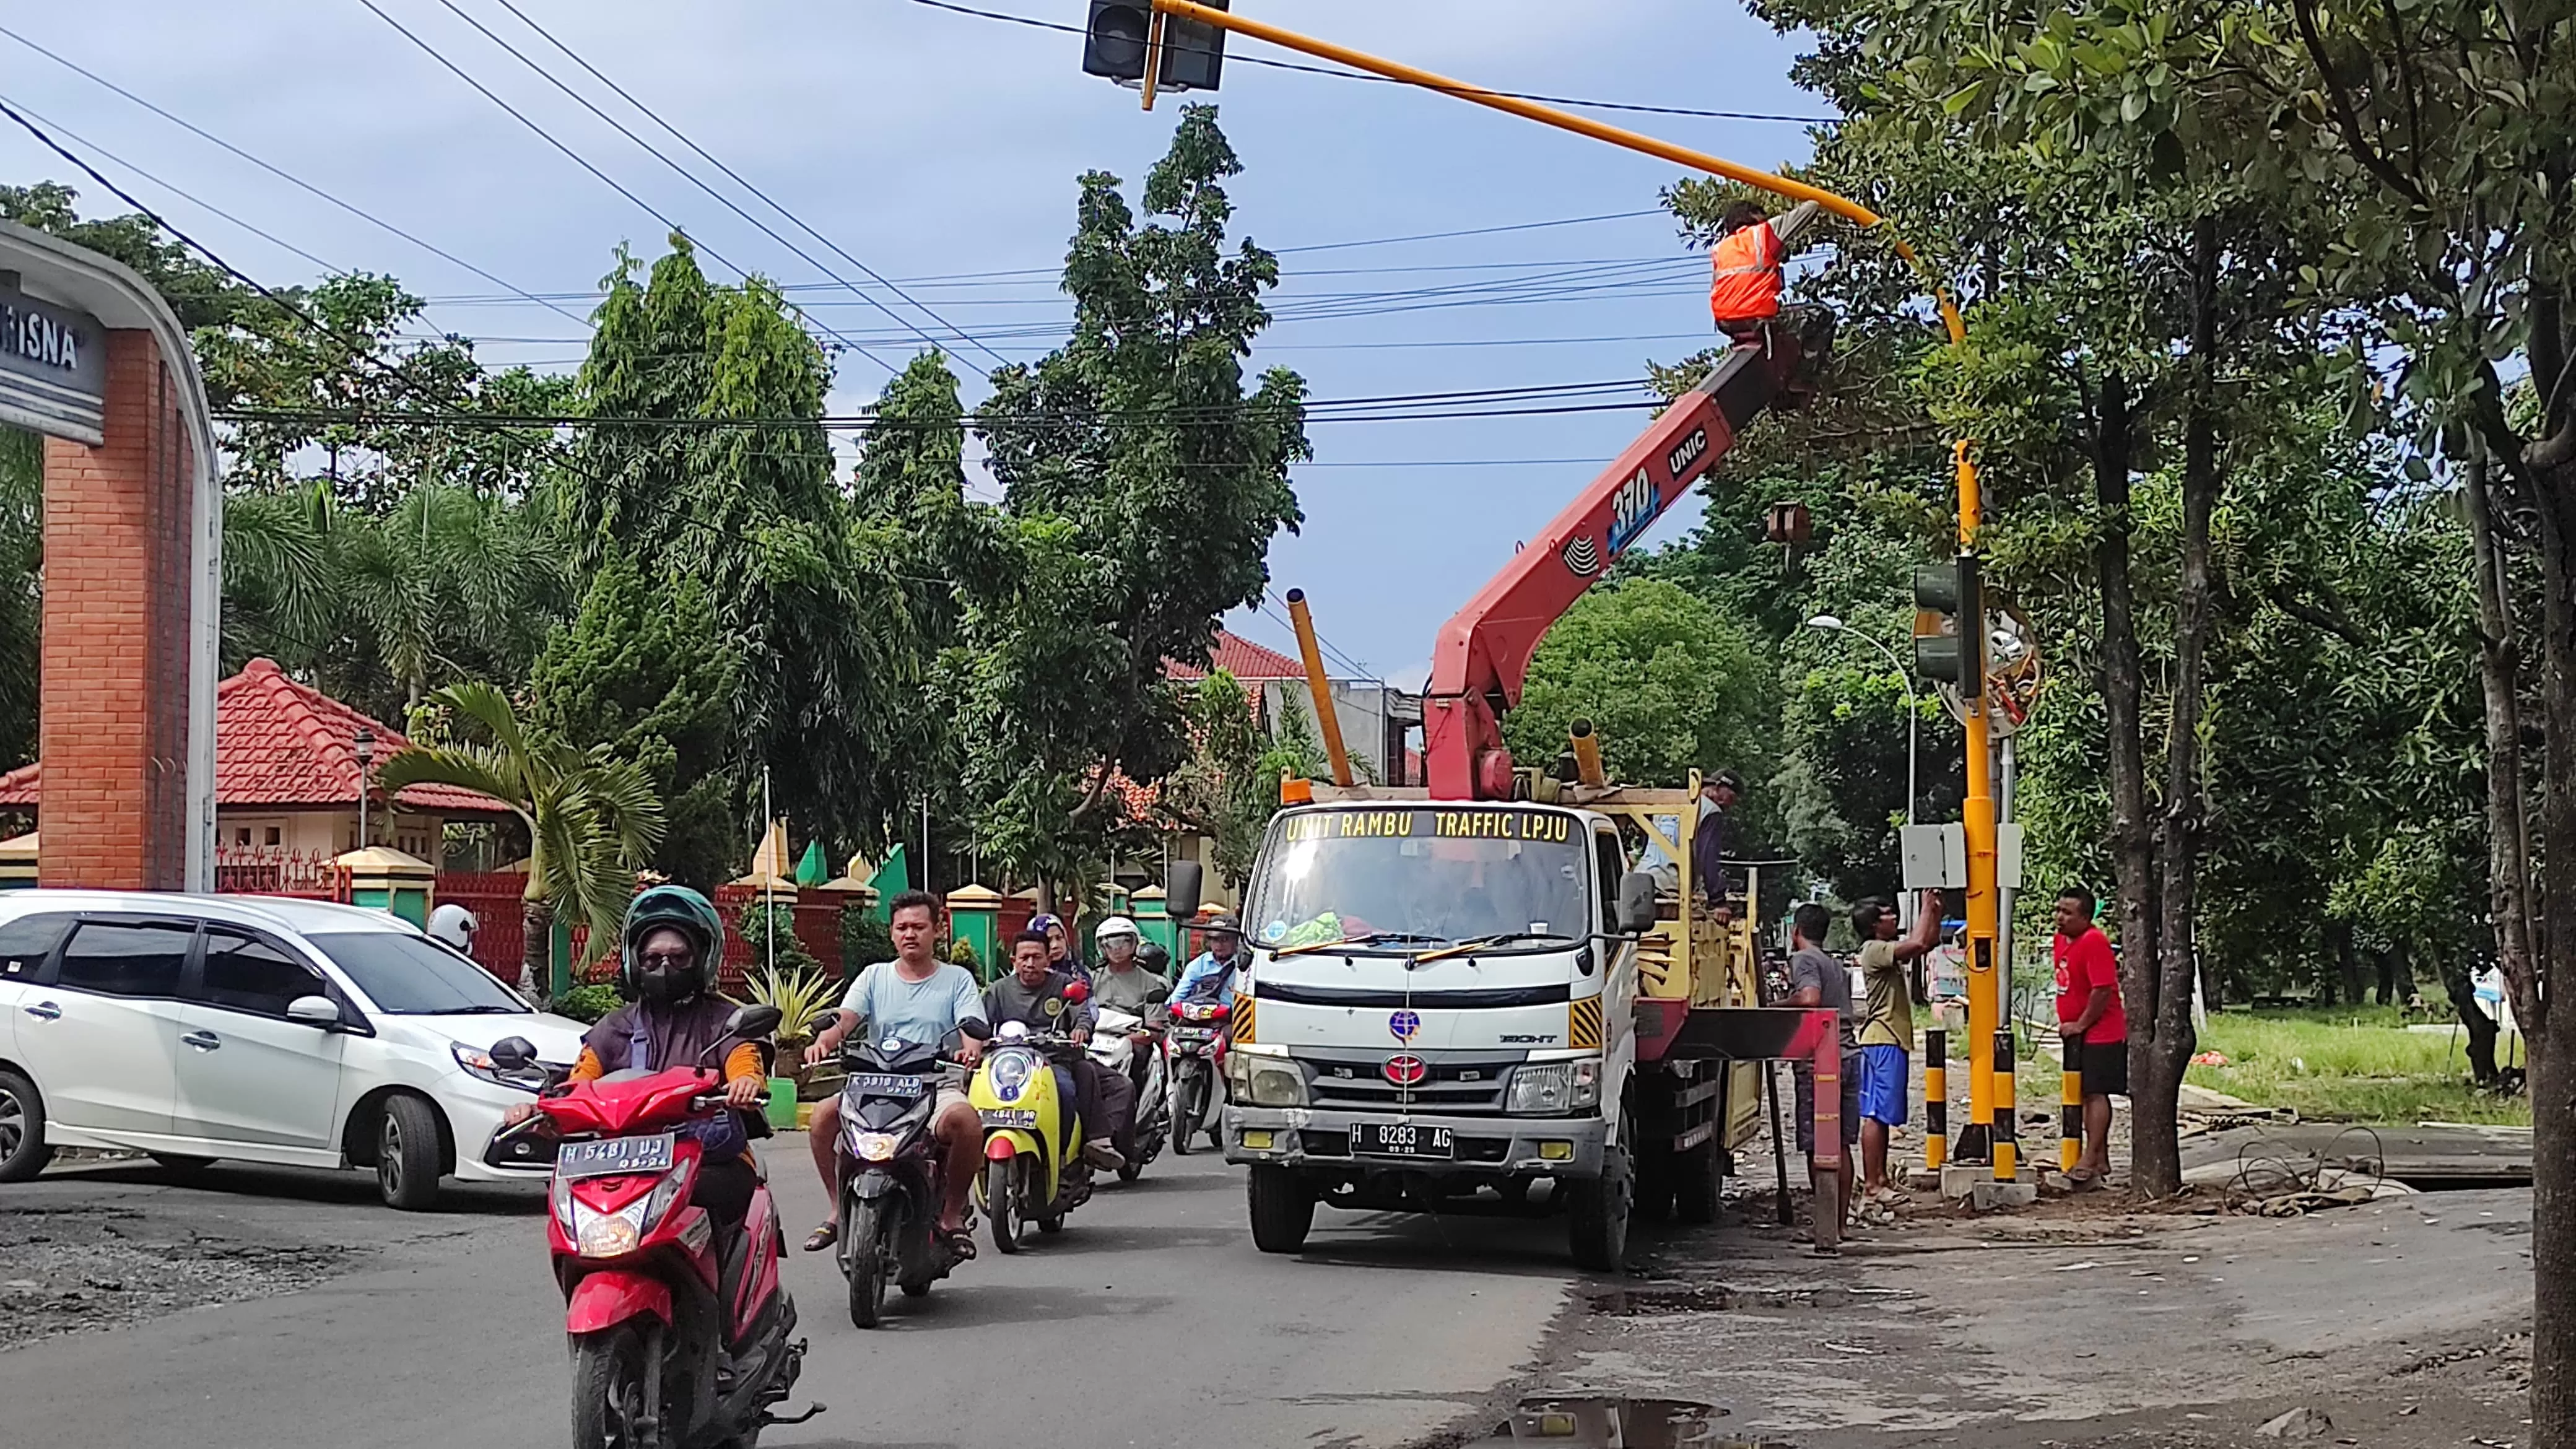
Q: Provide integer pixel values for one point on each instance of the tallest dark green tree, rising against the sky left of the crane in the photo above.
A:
(1142, 489)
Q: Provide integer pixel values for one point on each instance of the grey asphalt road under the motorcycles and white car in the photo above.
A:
(1148, 1321)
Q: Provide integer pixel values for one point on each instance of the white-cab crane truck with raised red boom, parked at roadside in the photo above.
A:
(1472, 984)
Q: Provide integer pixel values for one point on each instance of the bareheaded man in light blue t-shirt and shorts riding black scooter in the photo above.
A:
(923, 1002)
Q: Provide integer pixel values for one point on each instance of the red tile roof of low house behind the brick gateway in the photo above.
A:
(279, 744)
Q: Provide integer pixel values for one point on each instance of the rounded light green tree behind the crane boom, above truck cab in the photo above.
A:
(1665, 679)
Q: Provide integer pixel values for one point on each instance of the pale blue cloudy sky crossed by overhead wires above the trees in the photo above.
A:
(939, 151)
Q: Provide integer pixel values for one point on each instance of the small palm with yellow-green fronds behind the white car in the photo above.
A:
(591, 819)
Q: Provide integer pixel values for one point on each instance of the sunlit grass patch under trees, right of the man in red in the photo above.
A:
(2351, 1066)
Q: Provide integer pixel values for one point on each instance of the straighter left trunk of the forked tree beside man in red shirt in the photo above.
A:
(2132, 850)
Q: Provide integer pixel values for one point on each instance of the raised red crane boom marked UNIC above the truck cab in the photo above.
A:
(1485, 648)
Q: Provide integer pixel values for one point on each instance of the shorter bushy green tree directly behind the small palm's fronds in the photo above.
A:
(648, 672)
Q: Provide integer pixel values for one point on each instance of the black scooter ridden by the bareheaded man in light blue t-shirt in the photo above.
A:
(893, 1174)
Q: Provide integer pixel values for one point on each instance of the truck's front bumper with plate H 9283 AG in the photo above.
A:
(1482, 1146)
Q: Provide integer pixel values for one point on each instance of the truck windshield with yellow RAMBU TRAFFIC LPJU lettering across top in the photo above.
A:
(1408, 878)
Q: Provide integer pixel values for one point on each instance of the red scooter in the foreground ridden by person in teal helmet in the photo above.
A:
(679, 1327)
